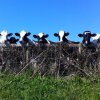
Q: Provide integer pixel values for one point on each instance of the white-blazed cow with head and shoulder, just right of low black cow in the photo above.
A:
(24, 37)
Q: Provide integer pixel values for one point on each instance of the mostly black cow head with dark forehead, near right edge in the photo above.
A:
(86, 37)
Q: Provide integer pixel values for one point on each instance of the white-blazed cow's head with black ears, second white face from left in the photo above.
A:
(23, 37)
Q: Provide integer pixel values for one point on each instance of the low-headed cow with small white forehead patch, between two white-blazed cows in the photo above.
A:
(41, 37)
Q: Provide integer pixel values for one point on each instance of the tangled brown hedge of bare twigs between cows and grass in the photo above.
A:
(58, 59)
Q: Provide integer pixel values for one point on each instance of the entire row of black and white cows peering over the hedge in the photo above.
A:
(8, 38)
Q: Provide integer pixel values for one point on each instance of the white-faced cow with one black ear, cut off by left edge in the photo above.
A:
(4, 37)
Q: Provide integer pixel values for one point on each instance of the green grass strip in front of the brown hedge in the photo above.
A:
(25, 87)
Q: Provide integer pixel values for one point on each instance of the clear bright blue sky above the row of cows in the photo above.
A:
(50, 16)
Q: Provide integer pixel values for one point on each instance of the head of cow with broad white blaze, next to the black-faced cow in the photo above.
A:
(62, 36)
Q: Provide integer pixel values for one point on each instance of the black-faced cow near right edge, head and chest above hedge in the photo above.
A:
(86, 43)
